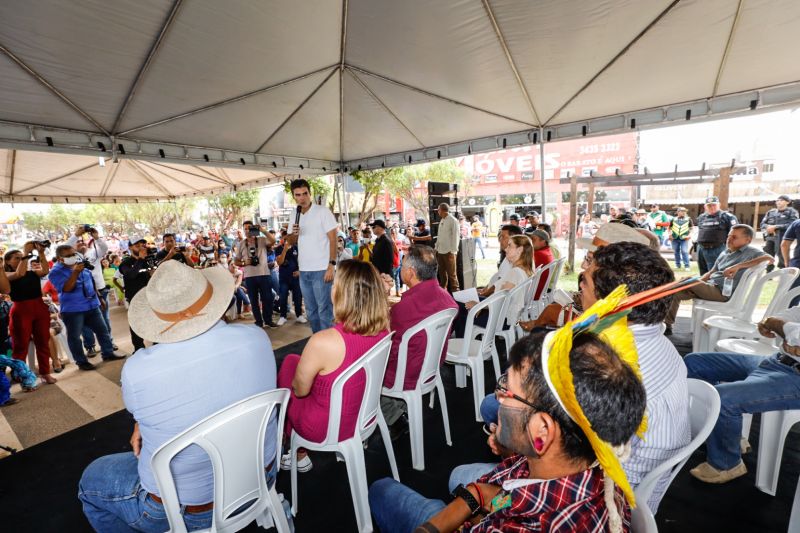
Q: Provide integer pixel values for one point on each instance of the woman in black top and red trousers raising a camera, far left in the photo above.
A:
(29, 315)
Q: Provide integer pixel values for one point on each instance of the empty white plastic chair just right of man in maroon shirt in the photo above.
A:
(469, 353)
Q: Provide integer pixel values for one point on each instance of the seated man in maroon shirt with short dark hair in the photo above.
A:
(423, 299)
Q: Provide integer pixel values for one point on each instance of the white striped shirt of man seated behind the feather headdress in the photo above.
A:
(668, 429)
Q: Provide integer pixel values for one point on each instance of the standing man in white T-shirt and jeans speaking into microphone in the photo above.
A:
(315, 236)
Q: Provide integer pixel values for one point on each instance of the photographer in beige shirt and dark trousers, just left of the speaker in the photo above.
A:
(251, 254)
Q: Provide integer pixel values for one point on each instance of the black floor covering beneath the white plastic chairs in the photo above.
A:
(49, 472)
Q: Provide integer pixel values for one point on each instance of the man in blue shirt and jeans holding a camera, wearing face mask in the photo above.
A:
(80, 305)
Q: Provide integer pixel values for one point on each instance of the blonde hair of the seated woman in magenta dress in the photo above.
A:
(359, 298)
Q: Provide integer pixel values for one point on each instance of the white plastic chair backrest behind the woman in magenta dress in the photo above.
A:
(373, 363)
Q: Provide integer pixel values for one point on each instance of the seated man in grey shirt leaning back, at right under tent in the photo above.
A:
(731, 264)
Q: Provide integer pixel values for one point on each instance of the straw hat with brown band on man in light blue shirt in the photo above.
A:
(180, 302)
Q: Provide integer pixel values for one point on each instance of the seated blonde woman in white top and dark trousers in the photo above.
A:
(519, 253)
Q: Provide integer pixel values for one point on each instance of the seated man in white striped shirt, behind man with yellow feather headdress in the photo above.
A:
(641, 268)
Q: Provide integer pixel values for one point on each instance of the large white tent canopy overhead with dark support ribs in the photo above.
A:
(320, 85)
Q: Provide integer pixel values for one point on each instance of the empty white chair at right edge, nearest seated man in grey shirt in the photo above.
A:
(740, 322)
